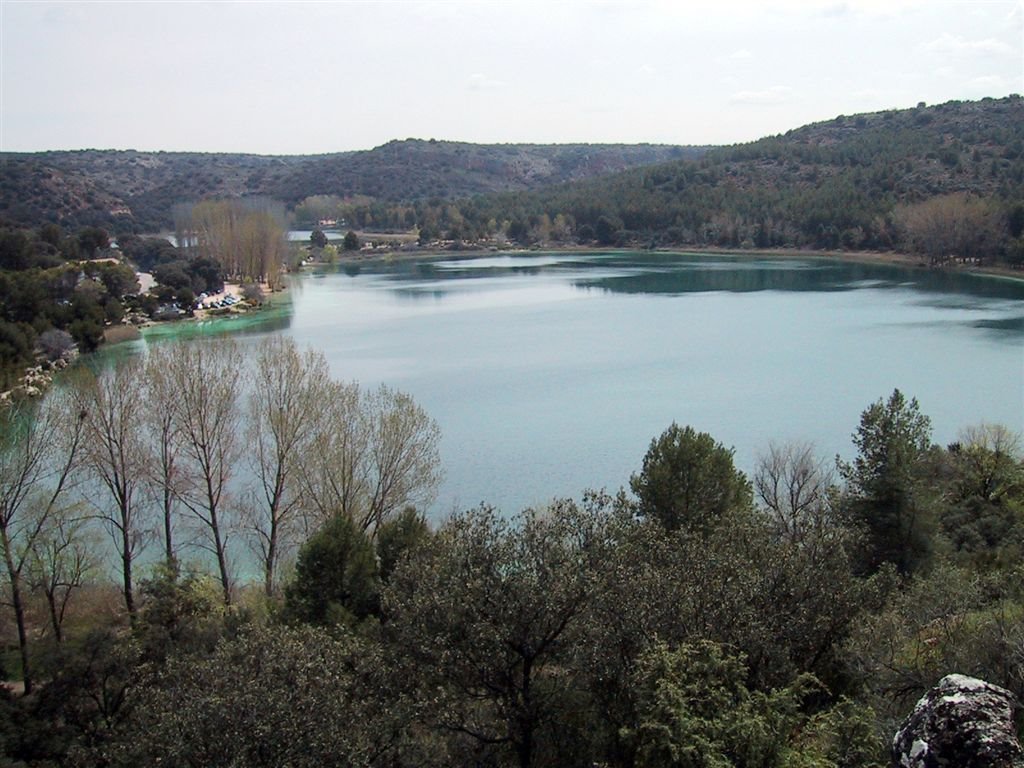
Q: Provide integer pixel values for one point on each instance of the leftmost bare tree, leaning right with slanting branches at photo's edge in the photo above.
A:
(38, 454)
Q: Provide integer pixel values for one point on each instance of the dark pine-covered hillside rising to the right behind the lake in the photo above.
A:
(942, 181)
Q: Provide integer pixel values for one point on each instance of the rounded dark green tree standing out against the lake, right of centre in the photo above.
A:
(689, 482)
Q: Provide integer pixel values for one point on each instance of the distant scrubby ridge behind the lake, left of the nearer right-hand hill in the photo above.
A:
(138, 190)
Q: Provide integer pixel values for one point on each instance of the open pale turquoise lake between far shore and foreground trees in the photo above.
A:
(551, 373)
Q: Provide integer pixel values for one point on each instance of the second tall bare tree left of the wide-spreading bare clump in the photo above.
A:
(204, 386)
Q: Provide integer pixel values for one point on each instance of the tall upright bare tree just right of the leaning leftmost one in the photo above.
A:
(115, 454)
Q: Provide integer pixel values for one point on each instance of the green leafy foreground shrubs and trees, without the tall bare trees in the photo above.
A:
(579, 634)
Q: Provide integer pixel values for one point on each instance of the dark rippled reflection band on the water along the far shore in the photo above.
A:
(678, 275)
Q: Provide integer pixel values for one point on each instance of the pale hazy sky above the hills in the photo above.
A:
(289, 78)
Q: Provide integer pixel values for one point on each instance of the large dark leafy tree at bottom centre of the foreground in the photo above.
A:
(490, 615)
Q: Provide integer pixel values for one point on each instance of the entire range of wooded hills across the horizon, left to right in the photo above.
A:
(945, 181)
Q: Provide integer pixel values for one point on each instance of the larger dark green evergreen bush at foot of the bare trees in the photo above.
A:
(336, 580)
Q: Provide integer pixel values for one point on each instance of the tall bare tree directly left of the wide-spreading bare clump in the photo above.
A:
(290, 391)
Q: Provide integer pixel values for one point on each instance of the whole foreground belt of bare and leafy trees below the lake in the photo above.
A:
(701, 618)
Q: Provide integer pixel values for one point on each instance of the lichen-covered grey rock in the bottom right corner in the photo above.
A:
(963, 722)
